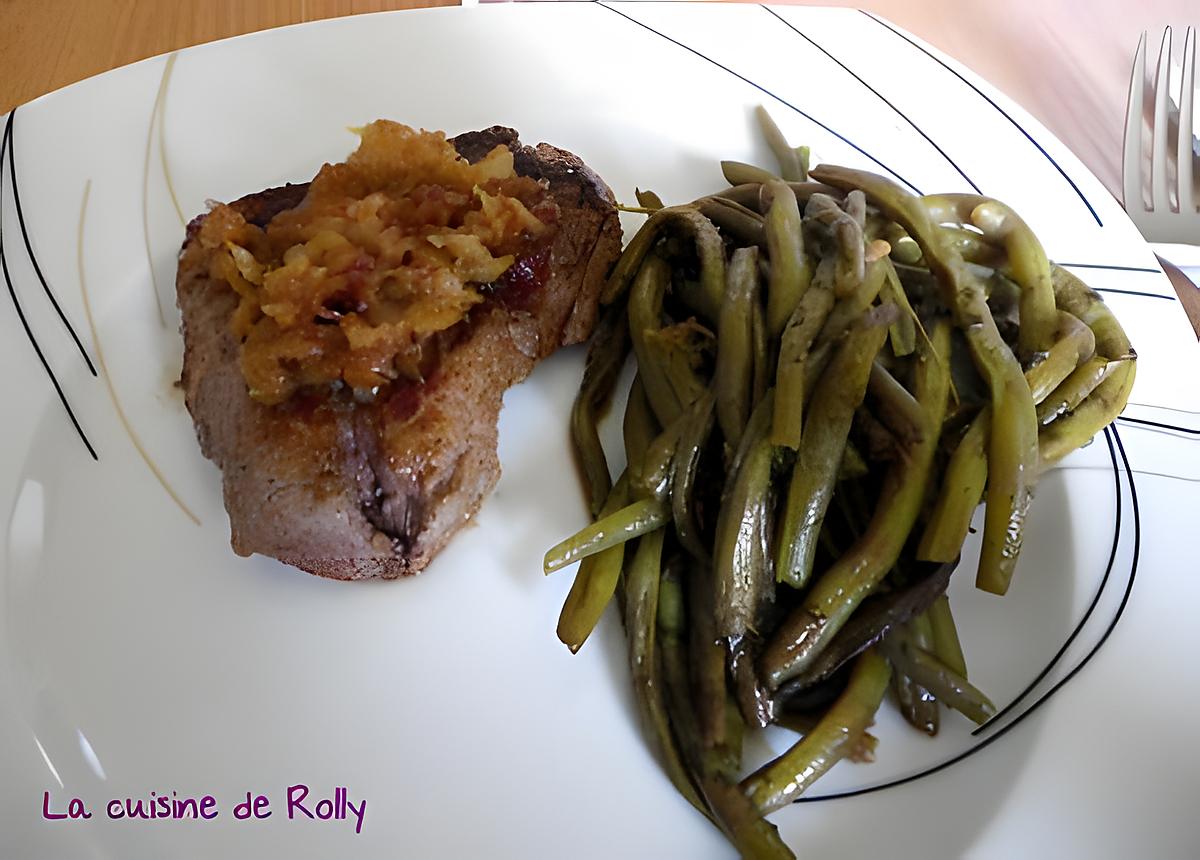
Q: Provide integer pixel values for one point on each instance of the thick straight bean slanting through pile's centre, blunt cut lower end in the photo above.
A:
(826, 429)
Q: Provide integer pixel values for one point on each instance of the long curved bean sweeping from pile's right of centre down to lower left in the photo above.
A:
(809, 628)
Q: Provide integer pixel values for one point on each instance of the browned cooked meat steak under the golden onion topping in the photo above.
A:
(352, 490)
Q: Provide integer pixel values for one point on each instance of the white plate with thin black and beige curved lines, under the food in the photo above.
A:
(140, 654)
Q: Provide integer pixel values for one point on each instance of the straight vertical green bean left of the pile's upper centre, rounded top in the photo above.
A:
(734, 375)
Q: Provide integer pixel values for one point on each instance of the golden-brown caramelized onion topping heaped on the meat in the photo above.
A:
(386, 251)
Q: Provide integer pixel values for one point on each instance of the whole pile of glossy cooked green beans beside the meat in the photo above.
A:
(832, 375)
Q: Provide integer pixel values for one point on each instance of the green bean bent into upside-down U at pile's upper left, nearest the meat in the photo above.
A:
(710, 249)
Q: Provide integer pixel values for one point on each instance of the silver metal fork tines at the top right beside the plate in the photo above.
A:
(1160, 221)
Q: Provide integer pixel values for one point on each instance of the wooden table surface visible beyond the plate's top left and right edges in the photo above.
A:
(1016, 46)
